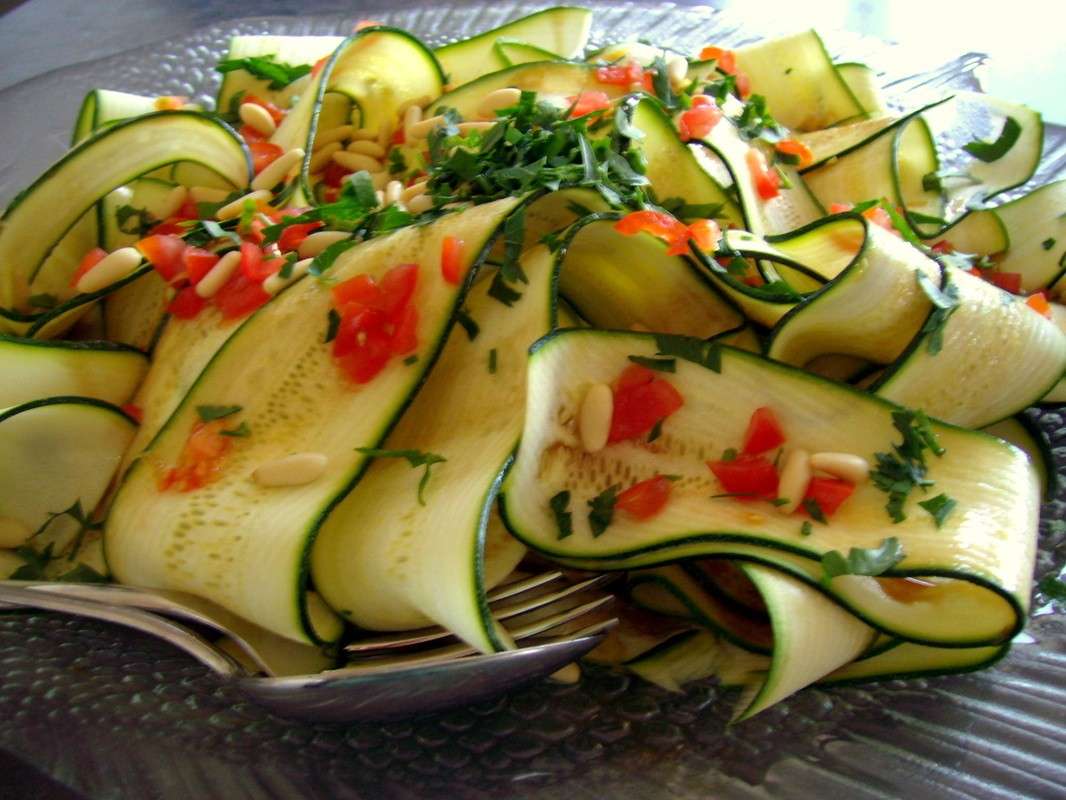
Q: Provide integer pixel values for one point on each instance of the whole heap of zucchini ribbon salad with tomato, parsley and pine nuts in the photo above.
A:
(343, 353)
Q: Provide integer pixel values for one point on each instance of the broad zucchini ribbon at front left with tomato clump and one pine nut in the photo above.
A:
(236, 542)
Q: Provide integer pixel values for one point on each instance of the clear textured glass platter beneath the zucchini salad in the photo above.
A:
(114, 714)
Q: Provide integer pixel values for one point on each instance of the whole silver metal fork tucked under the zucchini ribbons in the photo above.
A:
(426, 681)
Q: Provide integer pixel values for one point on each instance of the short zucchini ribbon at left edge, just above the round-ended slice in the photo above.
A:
(36, 370)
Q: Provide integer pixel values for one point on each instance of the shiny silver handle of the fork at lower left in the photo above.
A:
(148, 623)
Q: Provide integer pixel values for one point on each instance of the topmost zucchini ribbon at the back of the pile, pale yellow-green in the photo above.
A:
(562, 30)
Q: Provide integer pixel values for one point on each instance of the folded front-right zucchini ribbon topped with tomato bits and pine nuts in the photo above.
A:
(984, 550)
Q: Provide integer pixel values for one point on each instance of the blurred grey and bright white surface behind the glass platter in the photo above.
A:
(1022, 37)
